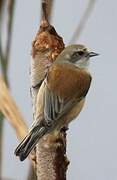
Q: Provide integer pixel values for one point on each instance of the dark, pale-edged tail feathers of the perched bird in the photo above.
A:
(29, 142)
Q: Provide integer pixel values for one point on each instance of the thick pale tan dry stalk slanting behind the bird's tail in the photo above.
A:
(11, 112)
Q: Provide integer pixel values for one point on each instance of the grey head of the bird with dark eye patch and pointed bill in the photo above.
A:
(78, 55)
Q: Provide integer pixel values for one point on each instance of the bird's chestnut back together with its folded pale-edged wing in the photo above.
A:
(63, 91)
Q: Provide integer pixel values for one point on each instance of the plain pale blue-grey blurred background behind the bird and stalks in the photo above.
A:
(92, 141)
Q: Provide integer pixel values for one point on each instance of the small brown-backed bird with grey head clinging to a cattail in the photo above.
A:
(61, 96)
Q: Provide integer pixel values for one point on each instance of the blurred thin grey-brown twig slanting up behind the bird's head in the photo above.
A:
(83, 21)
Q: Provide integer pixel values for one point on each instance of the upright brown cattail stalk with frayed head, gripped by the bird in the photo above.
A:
(51, 161)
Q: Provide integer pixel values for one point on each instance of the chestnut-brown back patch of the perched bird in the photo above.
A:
(68, 80)
